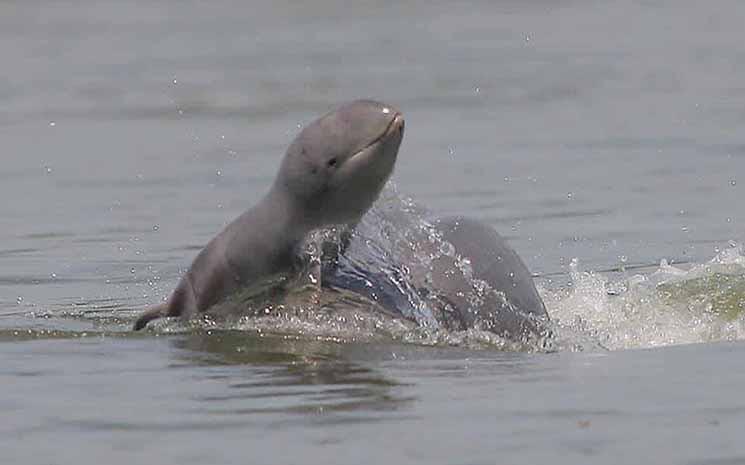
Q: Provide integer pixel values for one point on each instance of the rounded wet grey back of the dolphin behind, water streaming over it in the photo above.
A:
(509, 304)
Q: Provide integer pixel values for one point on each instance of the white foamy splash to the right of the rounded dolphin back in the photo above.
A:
(669, 306)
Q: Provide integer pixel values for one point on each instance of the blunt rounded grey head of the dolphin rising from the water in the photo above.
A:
(336, 167)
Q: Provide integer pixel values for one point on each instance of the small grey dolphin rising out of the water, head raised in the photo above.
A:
(331, 174)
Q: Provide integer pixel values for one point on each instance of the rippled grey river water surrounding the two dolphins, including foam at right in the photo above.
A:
(603, 139)
